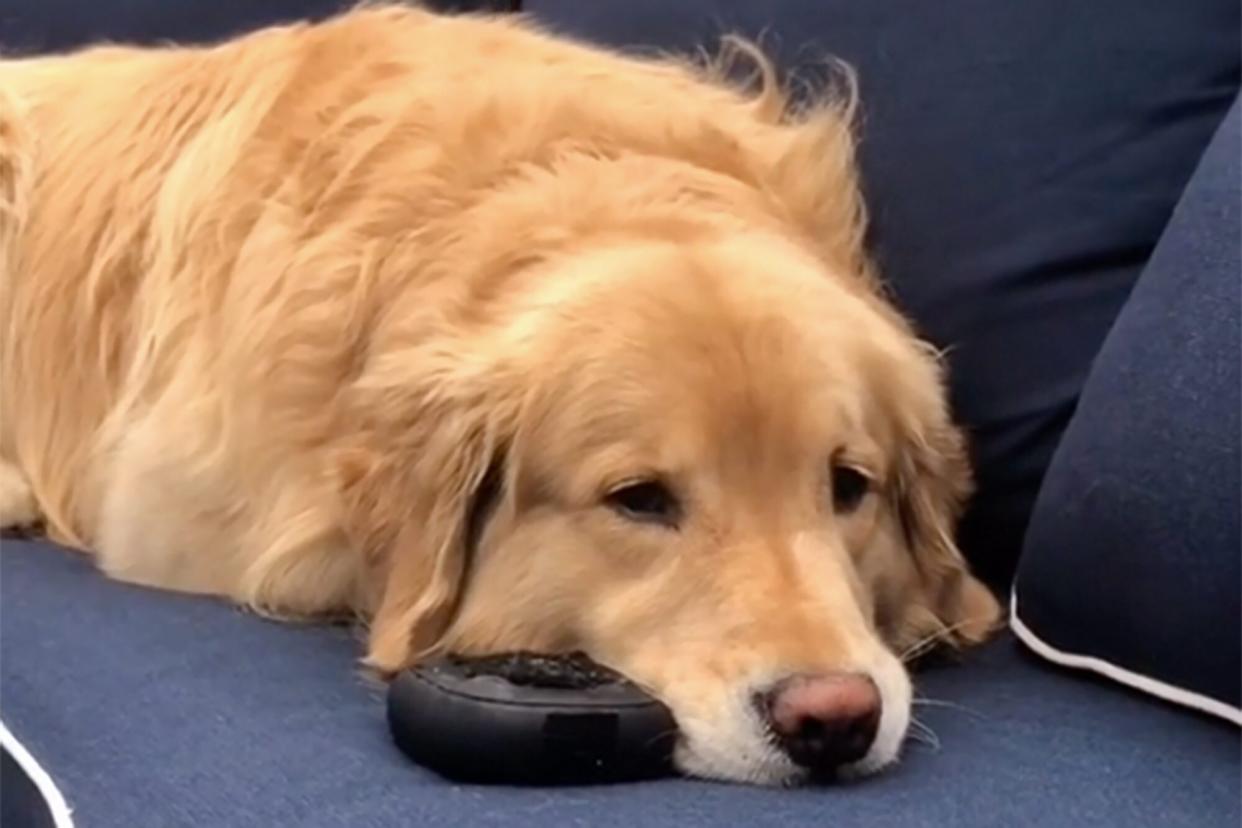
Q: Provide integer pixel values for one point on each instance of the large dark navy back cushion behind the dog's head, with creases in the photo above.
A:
(1022, 161)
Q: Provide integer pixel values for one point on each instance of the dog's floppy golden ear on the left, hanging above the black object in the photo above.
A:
(424, 454)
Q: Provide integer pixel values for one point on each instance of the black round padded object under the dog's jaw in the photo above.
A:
(530, 719)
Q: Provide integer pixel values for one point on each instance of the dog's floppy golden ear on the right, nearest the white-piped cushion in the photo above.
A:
(933, 484)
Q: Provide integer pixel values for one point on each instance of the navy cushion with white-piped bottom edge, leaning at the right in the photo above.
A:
(1136, 547)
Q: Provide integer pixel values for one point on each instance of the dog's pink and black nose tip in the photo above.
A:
(823, 722)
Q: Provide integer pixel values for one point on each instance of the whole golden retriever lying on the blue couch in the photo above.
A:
(499, 342)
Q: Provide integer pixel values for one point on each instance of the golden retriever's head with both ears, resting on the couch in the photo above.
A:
(715, 467)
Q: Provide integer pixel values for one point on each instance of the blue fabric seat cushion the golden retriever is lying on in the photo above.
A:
(157, 709)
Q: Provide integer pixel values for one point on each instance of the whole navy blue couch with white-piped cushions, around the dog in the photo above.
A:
(1056, 199)
